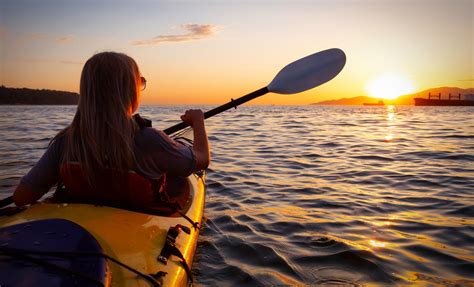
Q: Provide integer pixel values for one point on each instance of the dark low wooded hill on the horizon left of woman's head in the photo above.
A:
(24, 96)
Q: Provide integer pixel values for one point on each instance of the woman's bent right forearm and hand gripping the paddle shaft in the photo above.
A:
(195, 118)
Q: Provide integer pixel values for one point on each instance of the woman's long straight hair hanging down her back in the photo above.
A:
(101, 133)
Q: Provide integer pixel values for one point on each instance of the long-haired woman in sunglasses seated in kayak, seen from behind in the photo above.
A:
(104, 142)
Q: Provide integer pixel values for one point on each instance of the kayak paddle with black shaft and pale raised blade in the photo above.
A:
(301, 75)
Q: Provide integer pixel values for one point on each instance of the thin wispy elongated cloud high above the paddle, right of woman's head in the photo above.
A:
(194, 32)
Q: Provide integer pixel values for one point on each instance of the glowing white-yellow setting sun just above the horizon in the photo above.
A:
(389, 87)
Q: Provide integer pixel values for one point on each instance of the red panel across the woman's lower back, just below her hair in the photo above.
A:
(111, 188)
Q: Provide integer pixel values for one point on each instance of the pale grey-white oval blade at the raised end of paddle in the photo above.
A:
(308, 72)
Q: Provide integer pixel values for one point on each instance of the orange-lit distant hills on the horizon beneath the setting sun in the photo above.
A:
(402, 100)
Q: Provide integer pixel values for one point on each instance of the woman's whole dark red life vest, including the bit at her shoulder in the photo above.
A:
(127, 190)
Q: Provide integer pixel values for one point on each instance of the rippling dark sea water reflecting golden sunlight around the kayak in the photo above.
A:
(309, 195)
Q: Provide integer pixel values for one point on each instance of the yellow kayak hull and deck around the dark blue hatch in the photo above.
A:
(134, 239)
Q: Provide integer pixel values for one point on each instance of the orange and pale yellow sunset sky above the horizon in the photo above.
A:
(207, 52)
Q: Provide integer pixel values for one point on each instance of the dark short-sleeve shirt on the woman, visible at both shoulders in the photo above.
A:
(155, 154)
